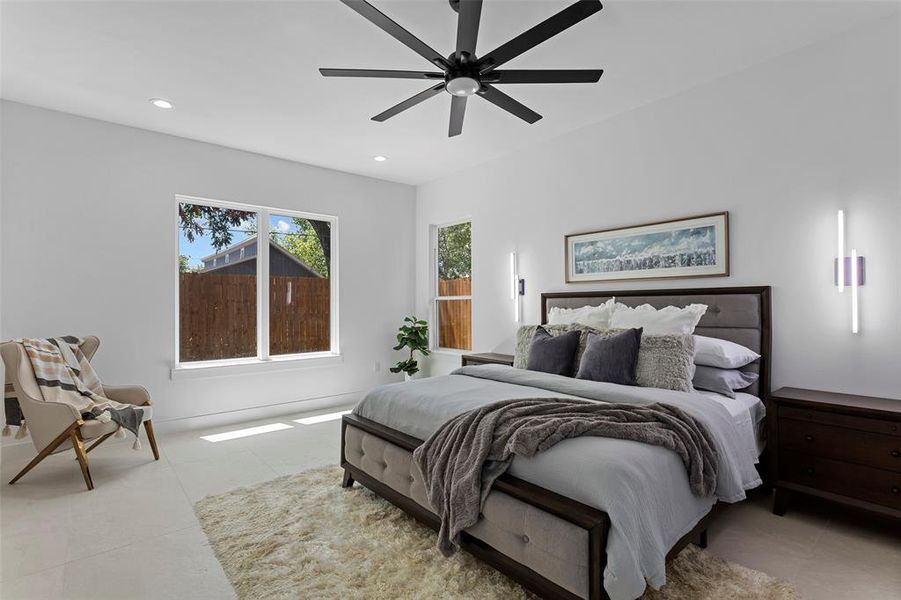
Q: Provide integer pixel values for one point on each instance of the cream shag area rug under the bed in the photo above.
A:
(303, 536)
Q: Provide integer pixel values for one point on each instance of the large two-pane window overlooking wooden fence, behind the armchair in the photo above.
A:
(257, 303)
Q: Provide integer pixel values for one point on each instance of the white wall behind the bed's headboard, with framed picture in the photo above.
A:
(781, 146)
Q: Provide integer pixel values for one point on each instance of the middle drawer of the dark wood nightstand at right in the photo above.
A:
(869, 449)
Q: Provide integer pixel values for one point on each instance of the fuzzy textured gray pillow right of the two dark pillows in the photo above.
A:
(666, 362)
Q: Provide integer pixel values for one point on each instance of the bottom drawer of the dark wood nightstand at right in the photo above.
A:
(846, 479)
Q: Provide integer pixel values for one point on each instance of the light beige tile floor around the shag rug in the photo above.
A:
(135, 536)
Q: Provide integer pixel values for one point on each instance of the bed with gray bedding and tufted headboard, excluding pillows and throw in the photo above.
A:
(557, 523)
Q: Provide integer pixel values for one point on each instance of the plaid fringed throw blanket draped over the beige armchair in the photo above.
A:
(64, 375)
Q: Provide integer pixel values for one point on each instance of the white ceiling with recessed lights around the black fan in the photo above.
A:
(244, 74)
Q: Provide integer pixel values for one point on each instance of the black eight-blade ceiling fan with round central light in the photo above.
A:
(463, 74)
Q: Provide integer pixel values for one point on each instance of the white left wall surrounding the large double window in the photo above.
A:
(88, 238)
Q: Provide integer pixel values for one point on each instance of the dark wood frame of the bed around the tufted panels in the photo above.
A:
(594, 521)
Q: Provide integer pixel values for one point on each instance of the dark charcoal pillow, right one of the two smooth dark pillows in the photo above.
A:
(611, 358)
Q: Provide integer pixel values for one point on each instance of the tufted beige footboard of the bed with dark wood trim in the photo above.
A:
(550, 544)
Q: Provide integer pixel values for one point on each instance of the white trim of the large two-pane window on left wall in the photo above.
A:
(263, 361)
